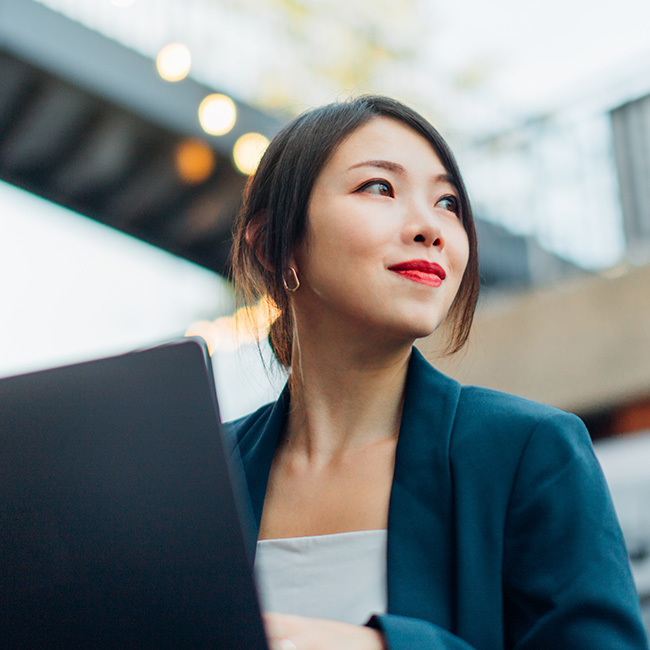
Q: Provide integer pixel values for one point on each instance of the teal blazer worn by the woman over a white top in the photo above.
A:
(501, 530)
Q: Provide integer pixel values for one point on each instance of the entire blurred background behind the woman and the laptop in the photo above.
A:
(128, 129)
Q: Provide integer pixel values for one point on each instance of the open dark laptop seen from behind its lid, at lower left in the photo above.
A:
(122, 517)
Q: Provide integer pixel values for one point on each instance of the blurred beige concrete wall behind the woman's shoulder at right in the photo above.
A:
(582, 346)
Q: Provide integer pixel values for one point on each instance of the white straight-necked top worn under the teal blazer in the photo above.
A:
(341, 577)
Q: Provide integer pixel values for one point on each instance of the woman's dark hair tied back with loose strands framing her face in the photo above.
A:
(277, 198)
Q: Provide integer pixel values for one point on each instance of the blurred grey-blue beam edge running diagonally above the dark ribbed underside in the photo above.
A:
(106, 68)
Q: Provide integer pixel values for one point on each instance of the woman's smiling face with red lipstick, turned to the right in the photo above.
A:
(385, 250)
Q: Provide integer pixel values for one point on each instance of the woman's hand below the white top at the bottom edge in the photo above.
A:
(287, 632)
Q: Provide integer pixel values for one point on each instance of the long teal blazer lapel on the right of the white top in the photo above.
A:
(420, 530)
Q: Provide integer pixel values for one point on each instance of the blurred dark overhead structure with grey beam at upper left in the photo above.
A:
(91, 126)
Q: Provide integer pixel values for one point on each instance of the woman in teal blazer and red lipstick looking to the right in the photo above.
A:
(385, 493)
